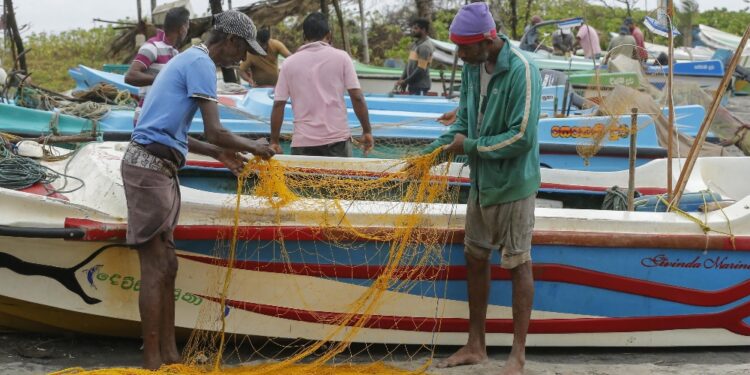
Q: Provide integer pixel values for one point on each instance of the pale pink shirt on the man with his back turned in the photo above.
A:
(316, 77)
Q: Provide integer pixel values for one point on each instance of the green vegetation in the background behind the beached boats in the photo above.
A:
(51, 55)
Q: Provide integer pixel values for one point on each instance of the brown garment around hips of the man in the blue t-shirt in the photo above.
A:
(153, 200)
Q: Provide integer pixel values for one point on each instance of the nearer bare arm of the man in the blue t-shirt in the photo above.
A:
(219, 136)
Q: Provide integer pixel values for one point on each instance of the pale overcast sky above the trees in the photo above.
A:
(59, 15)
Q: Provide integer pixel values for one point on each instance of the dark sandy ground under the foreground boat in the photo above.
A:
(23, 353)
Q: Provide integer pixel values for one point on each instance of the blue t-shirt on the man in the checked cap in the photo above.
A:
(170, 105)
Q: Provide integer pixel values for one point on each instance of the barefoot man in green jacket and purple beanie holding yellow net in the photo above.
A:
(496, 127)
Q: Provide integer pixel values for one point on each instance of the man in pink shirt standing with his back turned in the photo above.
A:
(316, 78)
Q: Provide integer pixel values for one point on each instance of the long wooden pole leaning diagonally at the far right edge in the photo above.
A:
(687, 169)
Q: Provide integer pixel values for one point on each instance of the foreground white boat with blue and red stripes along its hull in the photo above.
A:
(603, 278)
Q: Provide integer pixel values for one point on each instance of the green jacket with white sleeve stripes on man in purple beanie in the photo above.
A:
(503, 150)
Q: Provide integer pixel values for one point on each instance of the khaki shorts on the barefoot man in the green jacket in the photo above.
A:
(506, 226)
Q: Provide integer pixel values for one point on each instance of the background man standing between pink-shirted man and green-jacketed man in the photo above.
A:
(416, 76)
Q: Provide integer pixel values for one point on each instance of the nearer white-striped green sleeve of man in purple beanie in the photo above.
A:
(522, 117)
